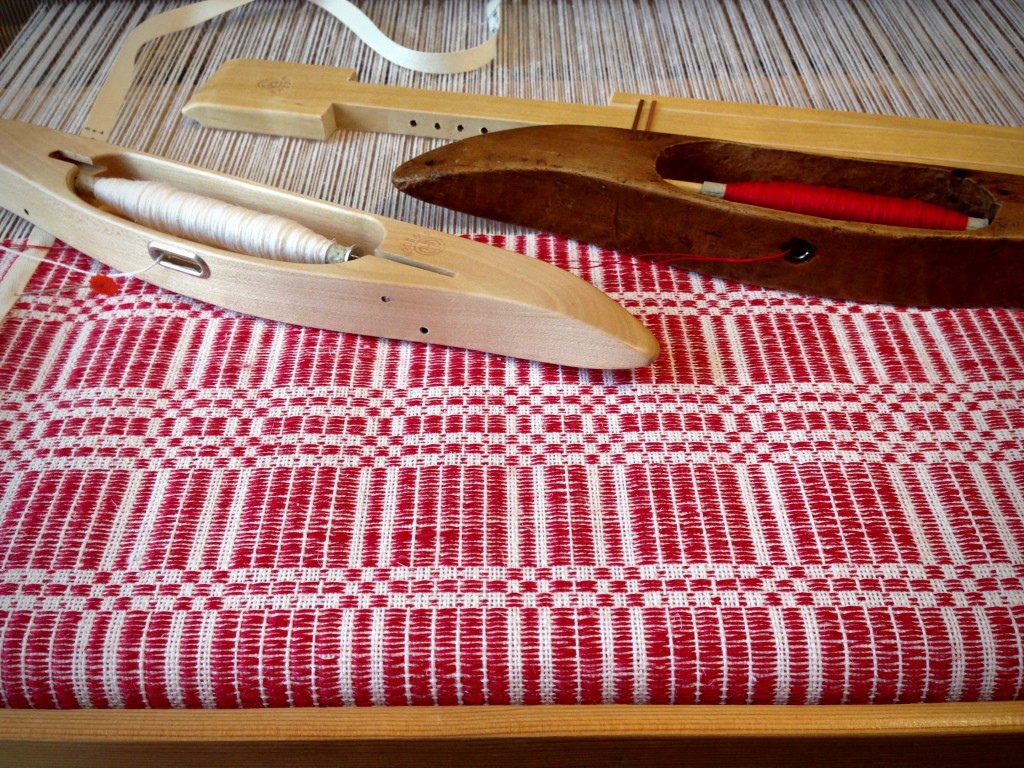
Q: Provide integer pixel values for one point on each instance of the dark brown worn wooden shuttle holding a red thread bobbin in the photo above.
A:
(869, 231)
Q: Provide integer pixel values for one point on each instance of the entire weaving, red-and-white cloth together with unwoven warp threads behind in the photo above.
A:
(803, 501)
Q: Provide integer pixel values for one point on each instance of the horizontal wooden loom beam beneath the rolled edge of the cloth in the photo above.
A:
(925, 735)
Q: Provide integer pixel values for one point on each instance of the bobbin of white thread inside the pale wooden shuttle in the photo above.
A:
(215, 223)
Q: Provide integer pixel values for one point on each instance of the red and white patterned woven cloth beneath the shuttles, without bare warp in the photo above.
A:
(803, 501)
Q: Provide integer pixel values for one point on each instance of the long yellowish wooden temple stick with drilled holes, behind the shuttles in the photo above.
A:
(313, 102)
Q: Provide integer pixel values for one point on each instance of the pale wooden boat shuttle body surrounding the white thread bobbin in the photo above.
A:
(413, 284)
